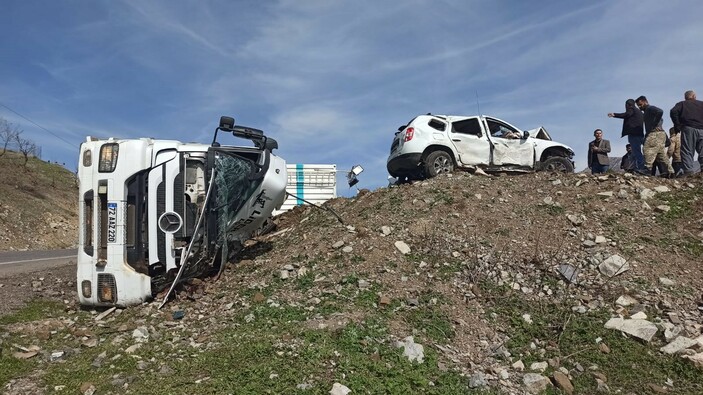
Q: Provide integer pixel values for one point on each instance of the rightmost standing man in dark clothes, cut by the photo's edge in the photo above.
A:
(687, 116)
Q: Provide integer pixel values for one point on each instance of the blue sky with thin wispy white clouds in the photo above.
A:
(332, 80)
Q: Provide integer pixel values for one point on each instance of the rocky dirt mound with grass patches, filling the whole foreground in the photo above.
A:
(537, 283)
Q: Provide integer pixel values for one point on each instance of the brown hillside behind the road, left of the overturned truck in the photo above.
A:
(38, 204)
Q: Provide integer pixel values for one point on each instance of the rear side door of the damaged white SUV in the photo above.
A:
(470, 142)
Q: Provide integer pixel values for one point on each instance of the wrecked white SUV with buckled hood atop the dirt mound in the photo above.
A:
(432, 144)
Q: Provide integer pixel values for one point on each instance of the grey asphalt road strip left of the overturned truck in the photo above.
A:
(16, 262)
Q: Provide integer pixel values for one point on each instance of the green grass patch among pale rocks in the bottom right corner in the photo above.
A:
(629, 366)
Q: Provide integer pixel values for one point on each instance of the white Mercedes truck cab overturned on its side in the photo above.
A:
(155, 212)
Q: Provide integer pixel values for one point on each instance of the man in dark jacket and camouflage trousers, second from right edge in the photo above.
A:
(654, 138)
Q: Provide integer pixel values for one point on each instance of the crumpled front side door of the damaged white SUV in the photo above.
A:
(509, 148)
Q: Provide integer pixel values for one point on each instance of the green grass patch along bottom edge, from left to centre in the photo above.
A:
(271, 354)
